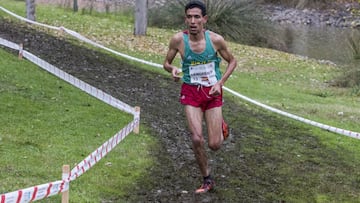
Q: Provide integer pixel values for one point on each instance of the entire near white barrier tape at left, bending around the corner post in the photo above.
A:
(50, 189)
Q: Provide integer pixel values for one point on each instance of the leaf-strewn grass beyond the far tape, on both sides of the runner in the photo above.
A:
(280, 80)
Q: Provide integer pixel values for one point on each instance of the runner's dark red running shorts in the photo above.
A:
(198, 96)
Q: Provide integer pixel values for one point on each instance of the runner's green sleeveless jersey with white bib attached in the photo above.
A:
(200, 68)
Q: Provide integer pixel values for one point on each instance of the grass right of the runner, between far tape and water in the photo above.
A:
(297, 86)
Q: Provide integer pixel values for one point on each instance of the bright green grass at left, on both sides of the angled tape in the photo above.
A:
(46, 123)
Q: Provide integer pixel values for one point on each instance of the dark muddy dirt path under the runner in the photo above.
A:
(175, 176)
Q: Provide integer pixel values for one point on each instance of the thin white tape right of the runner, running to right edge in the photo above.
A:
(304, 120)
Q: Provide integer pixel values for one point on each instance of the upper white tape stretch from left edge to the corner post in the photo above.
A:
(99, 94)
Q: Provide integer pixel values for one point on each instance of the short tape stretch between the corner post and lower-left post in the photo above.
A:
(102, 151)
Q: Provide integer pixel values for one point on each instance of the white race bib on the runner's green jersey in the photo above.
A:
(203, 74)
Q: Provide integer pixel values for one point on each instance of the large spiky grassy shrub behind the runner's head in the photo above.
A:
(236, 20)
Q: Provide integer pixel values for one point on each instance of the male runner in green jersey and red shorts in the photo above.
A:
(201, 91)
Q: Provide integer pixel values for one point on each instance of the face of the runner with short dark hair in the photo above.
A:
(194, 20)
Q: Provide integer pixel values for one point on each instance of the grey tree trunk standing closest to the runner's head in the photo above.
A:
(140, 17)
